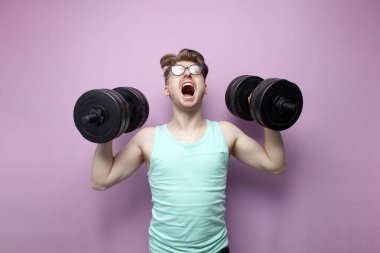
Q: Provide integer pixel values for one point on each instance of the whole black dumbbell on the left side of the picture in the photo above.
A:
(102, 115)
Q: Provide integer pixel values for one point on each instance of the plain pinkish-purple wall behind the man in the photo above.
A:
(53, 51)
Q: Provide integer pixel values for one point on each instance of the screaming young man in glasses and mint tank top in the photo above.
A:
(187, 163)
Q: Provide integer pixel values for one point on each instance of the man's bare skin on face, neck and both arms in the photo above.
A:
(186, 124)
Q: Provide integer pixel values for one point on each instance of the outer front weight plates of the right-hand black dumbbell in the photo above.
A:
(263, 103)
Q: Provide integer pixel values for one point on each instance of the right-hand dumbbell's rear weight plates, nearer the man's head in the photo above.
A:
(237, 94)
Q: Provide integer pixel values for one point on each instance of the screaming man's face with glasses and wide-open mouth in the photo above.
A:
(186, 85)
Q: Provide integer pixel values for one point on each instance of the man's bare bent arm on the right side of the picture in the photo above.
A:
(269, 157)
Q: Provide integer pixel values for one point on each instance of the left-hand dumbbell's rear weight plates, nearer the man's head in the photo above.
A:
(138, 107)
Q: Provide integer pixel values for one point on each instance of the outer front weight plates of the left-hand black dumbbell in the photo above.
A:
(112, 112)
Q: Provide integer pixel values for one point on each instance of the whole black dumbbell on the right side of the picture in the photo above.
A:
(274, 103)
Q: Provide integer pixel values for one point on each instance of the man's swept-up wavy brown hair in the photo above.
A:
(185, 54)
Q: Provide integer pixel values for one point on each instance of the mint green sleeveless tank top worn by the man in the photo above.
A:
(188, 182)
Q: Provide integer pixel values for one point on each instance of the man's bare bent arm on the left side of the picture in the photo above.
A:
(108, 170)
